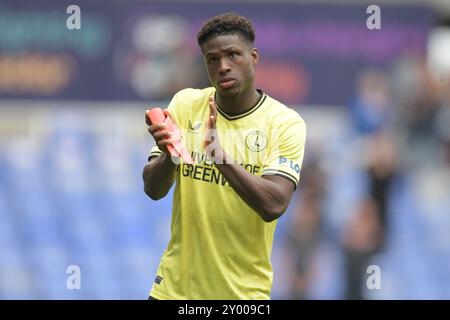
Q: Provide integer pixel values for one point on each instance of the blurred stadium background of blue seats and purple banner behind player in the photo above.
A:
(375, 188)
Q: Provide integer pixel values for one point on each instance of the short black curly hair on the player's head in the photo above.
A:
(225, 24)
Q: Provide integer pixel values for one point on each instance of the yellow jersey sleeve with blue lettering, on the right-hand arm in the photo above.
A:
(287, 149)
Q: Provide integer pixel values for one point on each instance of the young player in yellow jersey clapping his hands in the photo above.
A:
(245, 169)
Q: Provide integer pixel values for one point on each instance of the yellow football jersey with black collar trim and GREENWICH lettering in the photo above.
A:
(220, 248)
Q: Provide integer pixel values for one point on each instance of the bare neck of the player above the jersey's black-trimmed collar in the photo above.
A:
(239, 103)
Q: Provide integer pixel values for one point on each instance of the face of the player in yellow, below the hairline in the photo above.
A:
(230, 62)
